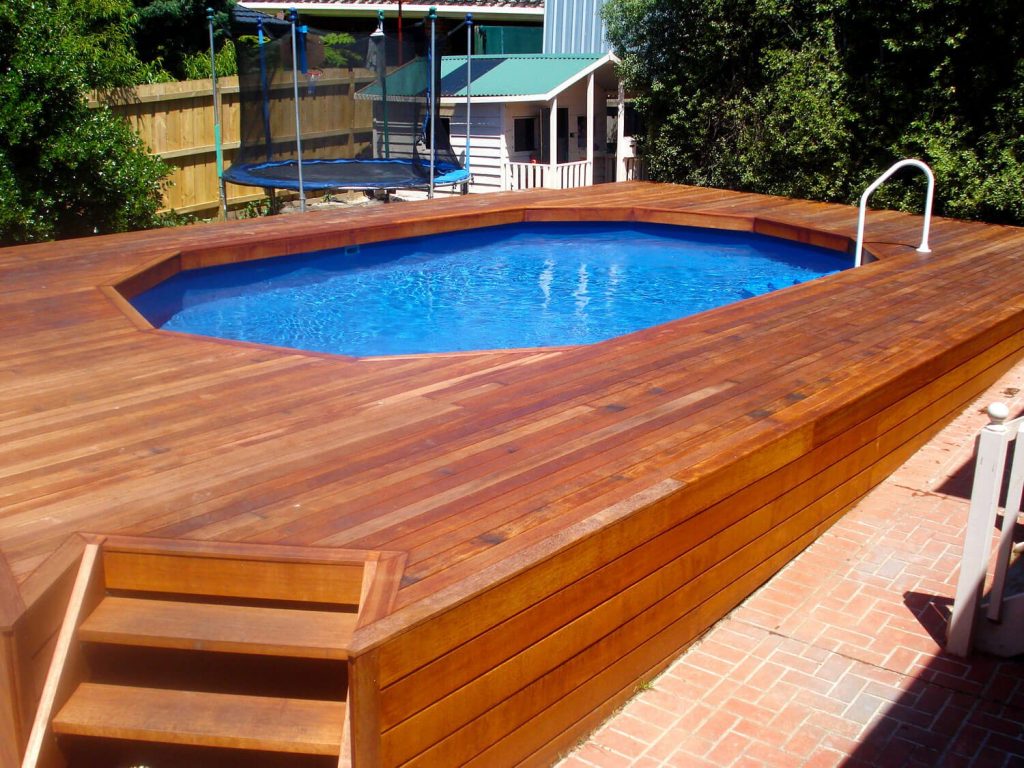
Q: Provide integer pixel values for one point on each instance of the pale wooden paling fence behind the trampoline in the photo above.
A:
(176, 121)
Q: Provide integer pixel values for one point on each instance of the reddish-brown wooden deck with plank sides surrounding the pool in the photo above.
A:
(569, 519)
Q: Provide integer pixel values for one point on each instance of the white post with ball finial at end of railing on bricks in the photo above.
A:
(977, 542)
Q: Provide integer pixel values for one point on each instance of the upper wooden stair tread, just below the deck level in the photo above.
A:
(214, 627)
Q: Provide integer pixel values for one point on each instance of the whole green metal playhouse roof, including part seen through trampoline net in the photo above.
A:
(511, 76)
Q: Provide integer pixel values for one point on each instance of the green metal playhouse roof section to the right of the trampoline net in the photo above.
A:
(519, 75)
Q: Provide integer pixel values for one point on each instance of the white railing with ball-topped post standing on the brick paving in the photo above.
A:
(1000, 629)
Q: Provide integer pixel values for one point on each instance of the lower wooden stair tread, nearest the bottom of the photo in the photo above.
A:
(177, 717)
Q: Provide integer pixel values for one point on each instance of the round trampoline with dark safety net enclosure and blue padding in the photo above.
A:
(364, 111)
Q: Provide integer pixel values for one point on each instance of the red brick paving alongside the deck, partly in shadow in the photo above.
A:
(837, 661)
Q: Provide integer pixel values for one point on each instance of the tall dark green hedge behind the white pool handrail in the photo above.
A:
(817, 98)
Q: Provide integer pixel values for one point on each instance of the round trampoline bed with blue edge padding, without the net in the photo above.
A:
(345, 175)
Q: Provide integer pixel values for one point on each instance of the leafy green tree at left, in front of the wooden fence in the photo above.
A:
(67, 169)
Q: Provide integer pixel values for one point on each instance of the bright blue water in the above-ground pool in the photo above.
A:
(517, 286)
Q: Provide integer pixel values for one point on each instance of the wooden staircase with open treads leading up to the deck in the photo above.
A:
(201, 657)
